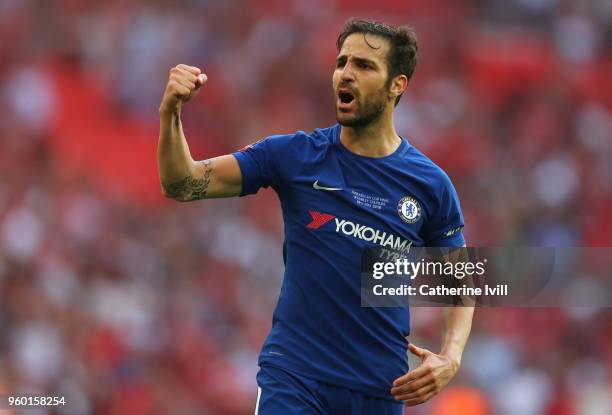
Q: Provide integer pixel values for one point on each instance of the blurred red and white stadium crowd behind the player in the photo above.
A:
(133, 304)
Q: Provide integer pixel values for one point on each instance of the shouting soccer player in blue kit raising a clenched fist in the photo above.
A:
(354, 185)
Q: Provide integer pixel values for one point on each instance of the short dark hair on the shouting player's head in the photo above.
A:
(403, 51)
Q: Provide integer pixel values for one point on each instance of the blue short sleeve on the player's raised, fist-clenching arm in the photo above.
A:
(259, 163)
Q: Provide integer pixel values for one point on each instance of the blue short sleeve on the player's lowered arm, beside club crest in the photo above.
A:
(446, 224)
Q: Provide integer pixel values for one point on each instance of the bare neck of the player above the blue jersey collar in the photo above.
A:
(377, 139)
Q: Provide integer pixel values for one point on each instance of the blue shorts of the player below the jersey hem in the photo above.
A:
(282, 392)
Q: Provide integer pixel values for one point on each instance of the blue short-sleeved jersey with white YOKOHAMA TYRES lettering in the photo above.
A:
(335, 203)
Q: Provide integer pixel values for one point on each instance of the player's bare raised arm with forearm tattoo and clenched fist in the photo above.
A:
(181, 177)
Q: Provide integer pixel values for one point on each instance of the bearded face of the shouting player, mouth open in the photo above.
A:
(360, 80)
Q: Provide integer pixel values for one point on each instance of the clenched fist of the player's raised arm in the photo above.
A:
(184, 83)
